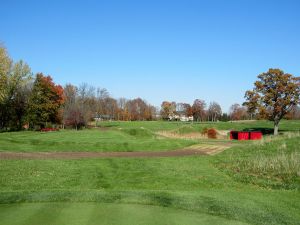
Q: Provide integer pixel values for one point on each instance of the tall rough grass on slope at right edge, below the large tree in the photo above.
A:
(273, 162)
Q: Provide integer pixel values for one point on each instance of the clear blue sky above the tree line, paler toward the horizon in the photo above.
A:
(157, 50)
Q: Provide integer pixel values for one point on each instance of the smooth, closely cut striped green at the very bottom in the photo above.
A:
(109, 214)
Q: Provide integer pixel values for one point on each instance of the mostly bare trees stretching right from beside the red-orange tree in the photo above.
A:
(86, 103)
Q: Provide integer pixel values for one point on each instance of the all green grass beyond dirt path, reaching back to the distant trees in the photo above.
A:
(123, 136)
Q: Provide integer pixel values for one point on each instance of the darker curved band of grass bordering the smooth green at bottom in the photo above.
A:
(203, 204)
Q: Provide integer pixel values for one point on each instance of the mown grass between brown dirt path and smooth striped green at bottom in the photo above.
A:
(189, 183)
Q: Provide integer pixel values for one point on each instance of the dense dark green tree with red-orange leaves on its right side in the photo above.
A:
(45, 101)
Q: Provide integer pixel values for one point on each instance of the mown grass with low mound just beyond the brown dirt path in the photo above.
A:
(95, 140)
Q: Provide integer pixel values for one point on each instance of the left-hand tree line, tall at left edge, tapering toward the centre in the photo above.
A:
(35, 101)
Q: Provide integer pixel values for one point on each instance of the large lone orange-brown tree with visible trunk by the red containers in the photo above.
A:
(277, 92)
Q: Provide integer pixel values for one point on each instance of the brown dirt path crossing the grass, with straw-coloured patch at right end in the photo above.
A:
(193, 150)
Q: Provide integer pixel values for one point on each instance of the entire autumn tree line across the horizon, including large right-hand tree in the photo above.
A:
(35, 101)
